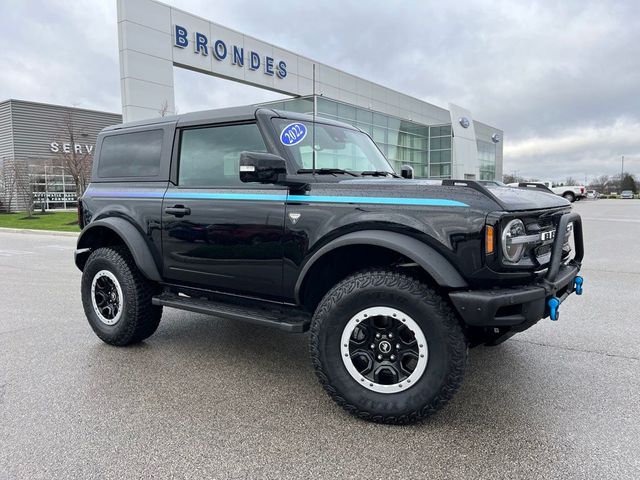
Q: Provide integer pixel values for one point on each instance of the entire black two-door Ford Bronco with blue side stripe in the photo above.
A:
(297, 223)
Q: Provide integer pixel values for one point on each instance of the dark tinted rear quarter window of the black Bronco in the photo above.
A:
(131, 155)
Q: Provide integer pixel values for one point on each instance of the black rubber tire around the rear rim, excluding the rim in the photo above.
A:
(140, 318)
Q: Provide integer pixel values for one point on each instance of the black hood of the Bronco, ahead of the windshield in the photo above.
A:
(503, 198)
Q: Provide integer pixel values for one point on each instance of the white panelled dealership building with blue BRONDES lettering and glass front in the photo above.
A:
(154, 38)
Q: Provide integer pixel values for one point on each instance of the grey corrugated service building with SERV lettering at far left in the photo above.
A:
(39, 146)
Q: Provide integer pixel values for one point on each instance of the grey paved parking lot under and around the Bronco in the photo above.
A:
(206, 398)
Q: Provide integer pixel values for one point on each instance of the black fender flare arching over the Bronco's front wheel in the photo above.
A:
(425, 256)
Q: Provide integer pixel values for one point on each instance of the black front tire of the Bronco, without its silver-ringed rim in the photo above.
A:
(446, 343)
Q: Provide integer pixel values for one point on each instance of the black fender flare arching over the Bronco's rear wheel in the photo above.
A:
(132, 238)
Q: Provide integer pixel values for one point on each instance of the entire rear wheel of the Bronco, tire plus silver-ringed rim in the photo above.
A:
(117, 298)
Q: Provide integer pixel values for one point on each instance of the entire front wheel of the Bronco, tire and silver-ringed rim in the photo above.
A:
(387, 348)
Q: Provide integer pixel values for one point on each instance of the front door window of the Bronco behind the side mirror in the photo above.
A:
(209, 157)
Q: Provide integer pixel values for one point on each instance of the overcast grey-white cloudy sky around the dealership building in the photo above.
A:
(561, 78)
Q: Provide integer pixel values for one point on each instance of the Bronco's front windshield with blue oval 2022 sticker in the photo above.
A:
(336, 147)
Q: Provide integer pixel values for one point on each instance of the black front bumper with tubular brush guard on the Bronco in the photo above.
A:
(520, 307)
